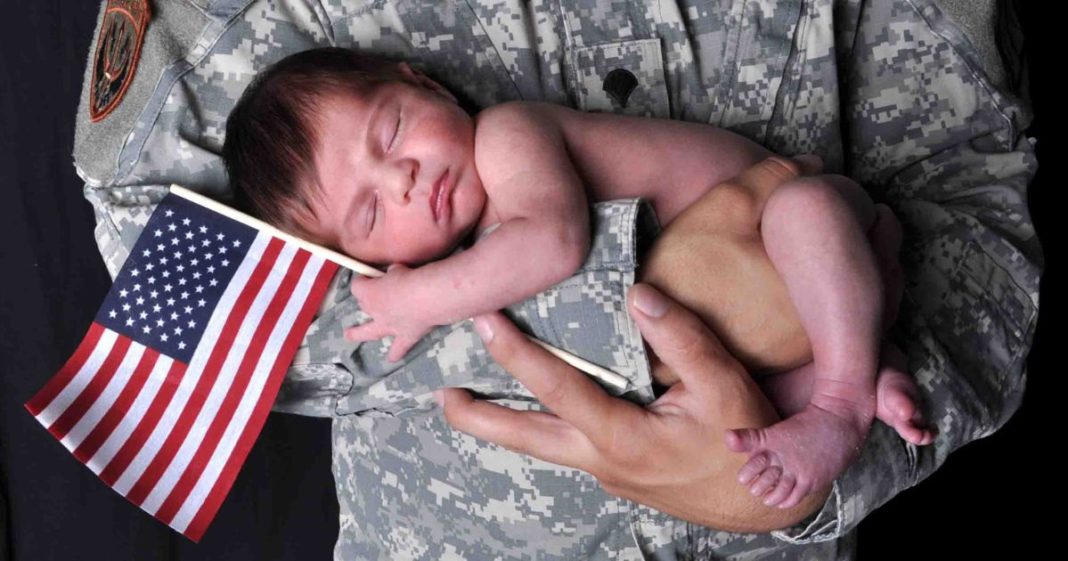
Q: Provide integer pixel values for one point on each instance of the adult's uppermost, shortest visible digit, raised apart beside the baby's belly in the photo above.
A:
(681, 339)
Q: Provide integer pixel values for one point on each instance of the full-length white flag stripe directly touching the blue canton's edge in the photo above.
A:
(196, 369)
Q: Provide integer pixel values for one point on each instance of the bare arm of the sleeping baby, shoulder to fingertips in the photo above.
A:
(538, 197)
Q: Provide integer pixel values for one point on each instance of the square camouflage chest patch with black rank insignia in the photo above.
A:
(624, 77)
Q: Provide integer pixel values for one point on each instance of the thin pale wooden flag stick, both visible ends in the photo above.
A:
(599, 372)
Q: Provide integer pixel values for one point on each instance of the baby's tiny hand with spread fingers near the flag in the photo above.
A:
(384, 300)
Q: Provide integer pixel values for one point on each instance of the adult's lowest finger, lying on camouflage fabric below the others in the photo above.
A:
(532, 433)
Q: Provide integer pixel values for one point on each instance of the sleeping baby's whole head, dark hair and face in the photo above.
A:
(358, 153)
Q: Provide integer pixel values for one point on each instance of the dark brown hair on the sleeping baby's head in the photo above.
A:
(271, 135)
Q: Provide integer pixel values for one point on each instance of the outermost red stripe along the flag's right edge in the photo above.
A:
(229, 474)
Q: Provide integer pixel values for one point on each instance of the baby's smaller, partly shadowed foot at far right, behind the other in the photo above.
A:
(898, 399)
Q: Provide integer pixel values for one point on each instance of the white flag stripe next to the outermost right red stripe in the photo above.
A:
(252, 397)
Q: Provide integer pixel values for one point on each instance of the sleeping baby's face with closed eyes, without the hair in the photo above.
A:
(398, 182)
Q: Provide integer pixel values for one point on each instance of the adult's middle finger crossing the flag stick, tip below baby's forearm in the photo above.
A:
(570, 394)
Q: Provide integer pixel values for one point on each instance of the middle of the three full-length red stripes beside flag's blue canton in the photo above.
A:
(238, 389)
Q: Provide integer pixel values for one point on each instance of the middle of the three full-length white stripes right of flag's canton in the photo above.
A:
(223, 384)
